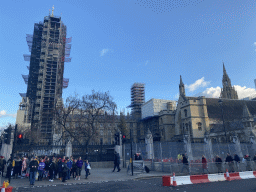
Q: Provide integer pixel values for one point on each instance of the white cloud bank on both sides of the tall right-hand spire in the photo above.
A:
(214, 92)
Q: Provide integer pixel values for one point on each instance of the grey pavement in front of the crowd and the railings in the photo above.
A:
(98, 175)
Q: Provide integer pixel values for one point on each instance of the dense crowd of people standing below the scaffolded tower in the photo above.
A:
(39, 168)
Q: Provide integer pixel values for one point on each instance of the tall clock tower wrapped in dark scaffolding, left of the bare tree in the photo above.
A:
(49, 49)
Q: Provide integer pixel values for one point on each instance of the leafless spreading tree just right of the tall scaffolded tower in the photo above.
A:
(79, 119)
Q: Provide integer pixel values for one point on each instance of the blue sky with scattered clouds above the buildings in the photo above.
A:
(118, 42)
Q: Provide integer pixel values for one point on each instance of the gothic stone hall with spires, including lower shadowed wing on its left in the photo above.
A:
(200, 116)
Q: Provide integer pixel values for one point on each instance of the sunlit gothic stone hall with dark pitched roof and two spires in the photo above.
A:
(200, 116)
